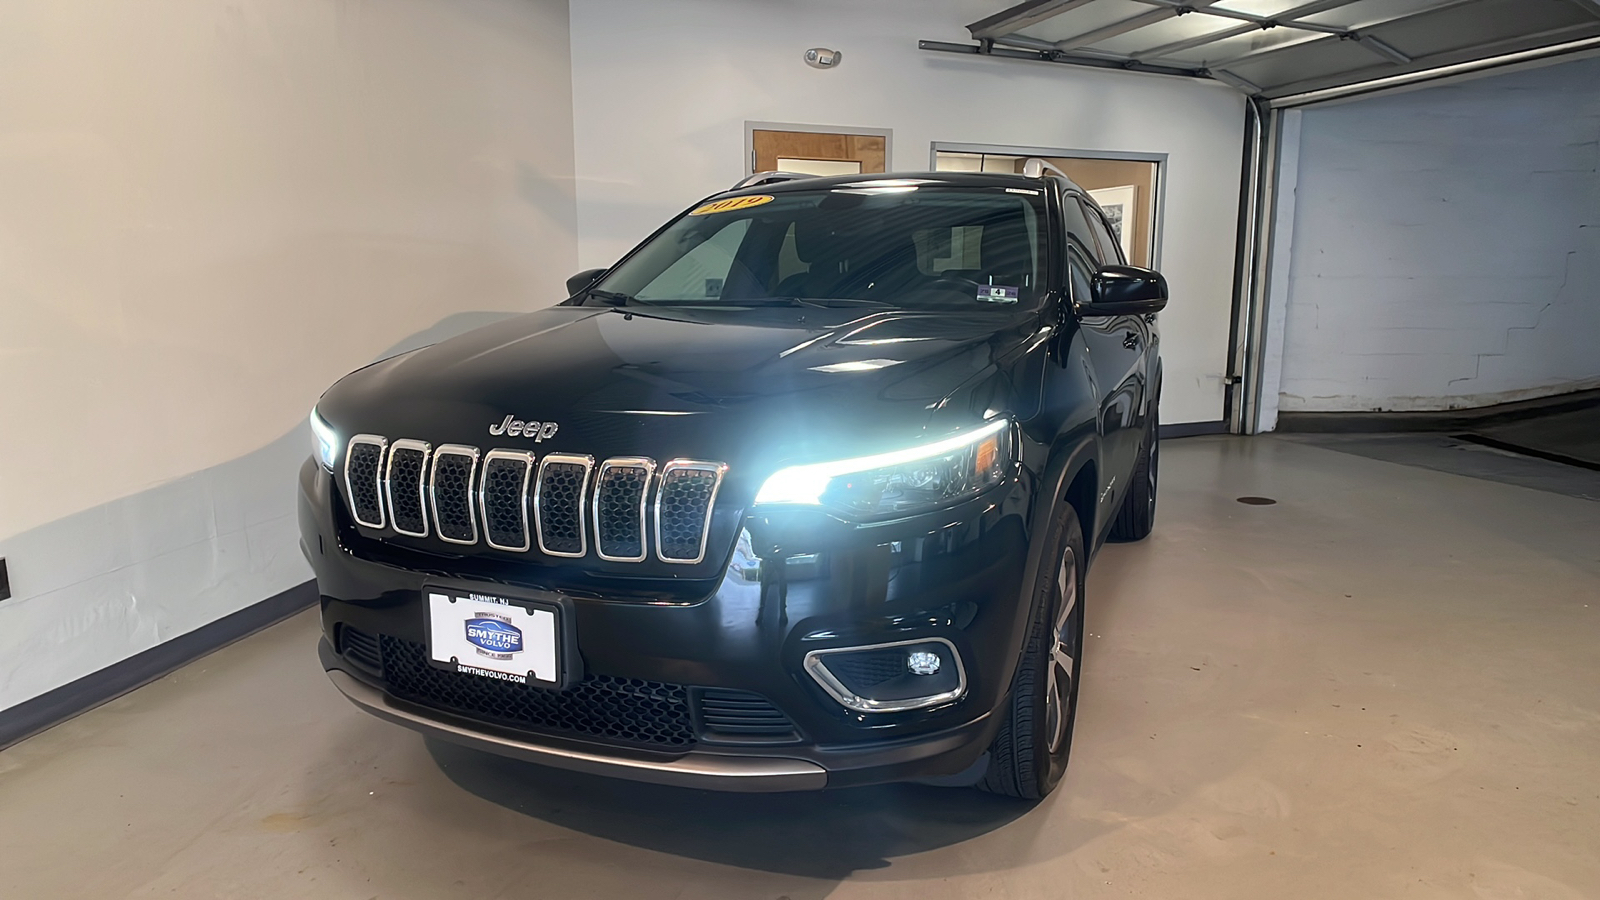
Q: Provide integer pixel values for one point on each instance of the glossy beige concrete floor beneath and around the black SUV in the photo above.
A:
(1386, 685)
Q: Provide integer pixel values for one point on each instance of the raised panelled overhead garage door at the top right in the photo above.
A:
(1276, 49)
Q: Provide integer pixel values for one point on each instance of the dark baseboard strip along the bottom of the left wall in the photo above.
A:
(52, 709)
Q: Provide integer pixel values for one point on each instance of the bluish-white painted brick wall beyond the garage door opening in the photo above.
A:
(1447, 246)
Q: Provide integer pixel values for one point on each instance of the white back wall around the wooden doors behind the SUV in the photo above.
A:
(663, 90)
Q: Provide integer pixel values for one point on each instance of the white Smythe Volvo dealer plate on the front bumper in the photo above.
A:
(494, 637)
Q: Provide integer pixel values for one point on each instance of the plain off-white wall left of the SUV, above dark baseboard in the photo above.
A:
(209, 212)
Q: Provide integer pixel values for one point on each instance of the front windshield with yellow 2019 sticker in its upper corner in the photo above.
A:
(903, 246)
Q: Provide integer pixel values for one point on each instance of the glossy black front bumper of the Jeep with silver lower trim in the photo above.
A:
(956, 579)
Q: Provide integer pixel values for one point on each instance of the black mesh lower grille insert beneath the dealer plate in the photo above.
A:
(614, 710)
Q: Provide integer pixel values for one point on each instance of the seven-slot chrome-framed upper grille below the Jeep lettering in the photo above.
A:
(561, 505)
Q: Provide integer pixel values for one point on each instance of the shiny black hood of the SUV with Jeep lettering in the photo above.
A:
(756, 388)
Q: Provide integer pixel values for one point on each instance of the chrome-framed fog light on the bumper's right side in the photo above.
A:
(890, 678)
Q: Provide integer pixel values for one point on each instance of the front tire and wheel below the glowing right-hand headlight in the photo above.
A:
(1030, 755)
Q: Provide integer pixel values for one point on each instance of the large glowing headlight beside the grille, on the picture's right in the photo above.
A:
(903, 481)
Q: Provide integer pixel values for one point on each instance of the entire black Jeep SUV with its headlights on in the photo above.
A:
(799, 494)
